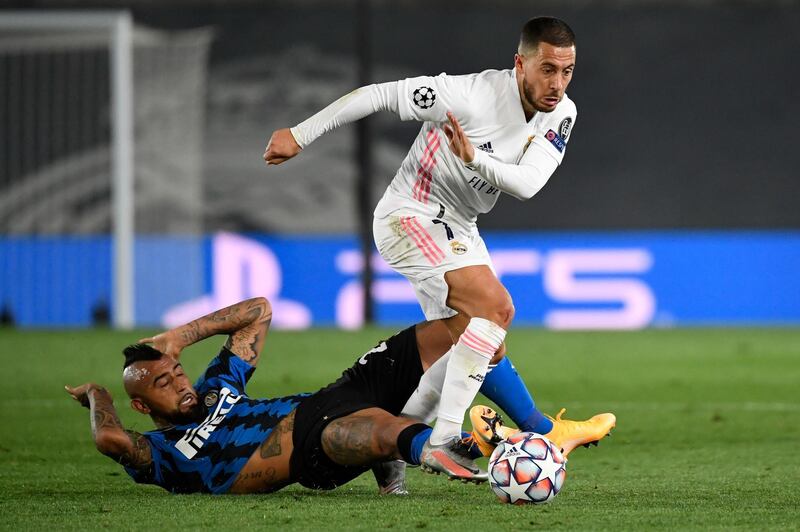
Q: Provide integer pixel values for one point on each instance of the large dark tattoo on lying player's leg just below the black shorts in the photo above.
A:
(348, 441)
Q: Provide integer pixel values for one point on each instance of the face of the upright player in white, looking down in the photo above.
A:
(545, 75)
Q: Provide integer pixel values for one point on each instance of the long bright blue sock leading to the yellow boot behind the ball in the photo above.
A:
(504, 386)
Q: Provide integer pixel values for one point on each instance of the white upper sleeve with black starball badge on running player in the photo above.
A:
(428, 98)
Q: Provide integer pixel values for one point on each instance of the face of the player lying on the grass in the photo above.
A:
(167, 392)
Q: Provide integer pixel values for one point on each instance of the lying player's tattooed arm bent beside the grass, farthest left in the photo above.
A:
(127, 447)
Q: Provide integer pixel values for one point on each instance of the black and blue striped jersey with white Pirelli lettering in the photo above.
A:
(207, 456)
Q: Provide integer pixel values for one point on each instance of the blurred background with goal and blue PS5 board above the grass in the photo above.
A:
(133, 193)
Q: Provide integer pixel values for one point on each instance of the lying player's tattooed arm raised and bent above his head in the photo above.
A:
(247, 323)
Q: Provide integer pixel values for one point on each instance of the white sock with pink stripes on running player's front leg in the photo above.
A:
(466, 369)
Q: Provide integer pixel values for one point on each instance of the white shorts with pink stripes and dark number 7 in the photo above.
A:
(423, 249)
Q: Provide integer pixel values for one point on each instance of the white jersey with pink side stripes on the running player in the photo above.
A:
(488, 107)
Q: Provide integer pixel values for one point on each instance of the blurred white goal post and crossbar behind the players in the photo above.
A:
(119, 27)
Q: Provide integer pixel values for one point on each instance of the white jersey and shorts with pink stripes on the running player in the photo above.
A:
(424, 225)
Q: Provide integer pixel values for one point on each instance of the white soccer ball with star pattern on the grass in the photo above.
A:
(526, 468)
